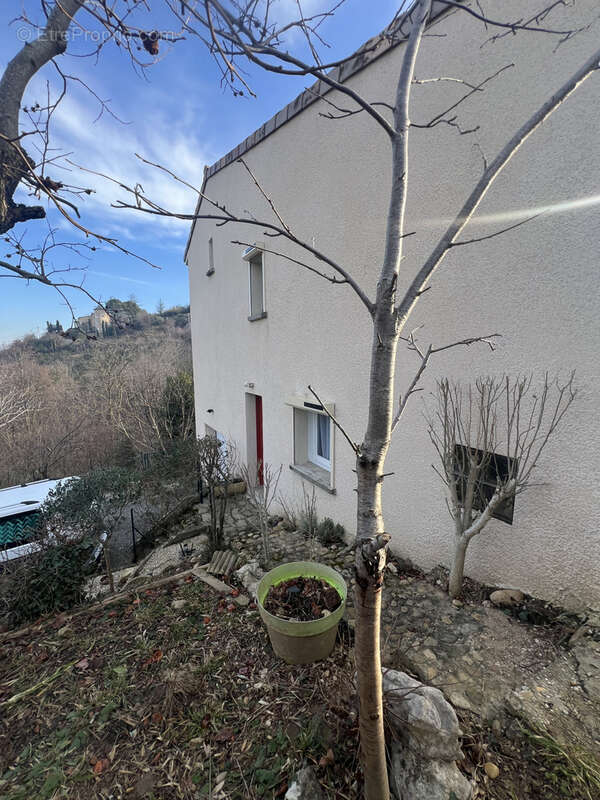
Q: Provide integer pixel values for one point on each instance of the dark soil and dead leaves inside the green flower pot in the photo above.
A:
(302, 599)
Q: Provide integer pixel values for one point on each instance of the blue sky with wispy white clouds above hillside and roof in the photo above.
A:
(176, 114)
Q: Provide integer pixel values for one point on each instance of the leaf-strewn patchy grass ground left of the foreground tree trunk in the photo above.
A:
(144, 701)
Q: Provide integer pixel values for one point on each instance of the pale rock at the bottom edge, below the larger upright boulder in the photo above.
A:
(415, 778)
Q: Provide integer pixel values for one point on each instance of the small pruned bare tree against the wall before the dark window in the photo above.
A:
(471, 427)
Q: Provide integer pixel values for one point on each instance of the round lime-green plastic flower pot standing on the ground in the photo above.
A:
(302, 642)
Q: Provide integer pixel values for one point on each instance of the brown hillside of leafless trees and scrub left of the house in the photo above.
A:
(75, 400)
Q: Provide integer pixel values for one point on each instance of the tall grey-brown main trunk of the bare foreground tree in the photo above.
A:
(371, 543)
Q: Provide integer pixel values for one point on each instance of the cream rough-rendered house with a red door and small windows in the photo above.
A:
(264, 328)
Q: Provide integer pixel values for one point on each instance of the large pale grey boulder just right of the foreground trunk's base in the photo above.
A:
(423, 719)
